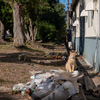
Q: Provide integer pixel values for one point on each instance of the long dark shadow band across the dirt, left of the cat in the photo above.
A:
(13, 58)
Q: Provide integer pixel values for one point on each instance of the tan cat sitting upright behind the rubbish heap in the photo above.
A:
(71, 65)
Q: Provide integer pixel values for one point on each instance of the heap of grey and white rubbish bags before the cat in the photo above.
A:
(51, 85)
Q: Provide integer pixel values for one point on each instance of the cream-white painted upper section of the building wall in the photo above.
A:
(91, 31)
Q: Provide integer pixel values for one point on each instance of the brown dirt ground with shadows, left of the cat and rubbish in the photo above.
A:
(13, 71)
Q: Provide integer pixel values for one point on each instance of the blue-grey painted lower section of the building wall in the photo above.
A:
(91, 53)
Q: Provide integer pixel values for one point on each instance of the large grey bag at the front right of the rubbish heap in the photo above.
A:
(63, 92)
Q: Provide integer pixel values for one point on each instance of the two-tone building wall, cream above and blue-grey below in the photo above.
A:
(91, 39)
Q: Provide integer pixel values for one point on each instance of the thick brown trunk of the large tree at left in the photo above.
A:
(17, 29)
